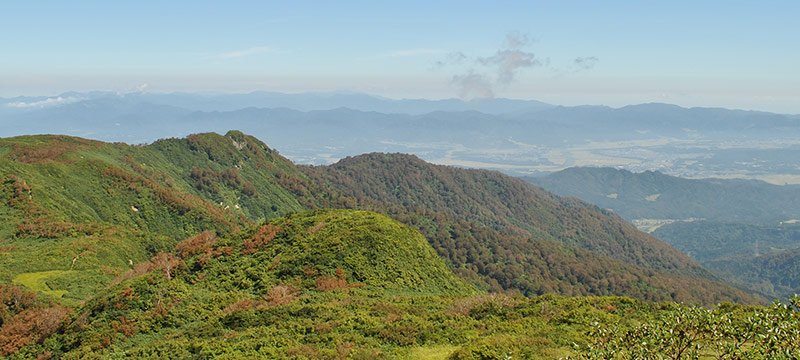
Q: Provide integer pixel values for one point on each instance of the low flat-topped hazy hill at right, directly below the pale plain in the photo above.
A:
(653, 195)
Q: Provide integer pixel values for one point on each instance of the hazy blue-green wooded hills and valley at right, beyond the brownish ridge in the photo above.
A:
(747, 235)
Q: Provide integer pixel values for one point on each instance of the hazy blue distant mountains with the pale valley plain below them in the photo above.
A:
(514, 136)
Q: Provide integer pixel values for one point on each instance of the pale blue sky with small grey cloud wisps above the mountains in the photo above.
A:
(733, 54)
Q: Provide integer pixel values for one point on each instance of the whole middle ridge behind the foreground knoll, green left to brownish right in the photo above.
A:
(115, 206)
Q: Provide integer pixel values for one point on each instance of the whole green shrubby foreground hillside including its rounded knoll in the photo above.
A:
(296, 288)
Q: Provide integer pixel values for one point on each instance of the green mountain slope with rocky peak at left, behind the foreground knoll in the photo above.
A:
(78, 207)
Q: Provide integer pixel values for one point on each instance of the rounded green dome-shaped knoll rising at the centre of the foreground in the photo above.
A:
(364, 247)
